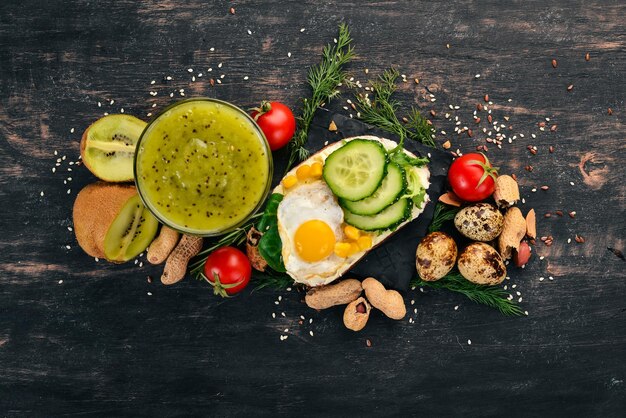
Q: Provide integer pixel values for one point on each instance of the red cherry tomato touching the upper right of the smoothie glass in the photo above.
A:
(277, 123)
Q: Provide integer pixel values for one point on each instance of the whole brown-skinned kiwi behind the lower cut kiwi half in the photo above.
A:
(95, 208)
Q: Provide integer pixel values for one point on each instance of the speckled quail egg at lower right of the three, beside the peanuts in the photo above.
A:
(480, 263)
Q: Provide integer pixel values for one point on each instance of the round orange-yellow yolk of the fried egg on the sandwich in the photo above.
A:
(314, 240)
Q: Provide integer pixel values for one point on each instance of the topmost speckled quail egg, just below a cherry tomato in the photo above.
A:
(479, 222)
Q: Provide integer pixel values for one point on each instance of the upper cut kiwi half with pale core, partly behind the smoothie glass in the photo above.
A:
(108, 147)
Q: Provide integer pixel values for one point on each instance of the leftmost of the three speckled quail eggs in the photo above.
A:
(435, 257)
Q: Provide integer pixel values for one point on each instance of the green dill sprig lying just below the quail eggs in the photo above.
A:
(493, 296)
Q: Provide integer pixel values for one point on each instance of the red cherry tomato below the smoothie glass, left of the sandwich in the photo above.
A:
(228, 270)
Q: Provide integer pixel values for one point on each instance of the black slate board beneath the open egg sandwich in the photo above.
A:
(392, 262)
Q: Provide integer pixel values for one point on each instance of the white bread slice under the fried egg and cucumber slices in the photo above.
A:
(377, 238)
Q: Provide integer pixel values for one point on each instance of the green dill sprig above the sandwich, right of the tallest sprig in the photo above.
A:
(381, 111)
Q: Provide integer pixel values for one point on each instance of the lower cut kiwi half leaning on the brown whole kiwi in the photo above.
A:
(131, 232)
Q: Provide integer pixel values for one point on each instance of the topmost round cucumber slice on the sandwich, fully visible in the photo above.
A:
(355, 170)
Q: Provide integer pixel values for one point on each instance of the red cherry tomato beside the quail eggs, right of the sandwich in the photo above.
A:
(472, 177)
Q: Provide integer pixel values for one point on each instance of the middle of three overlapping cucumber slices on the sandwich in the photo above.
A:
(390, 190)
